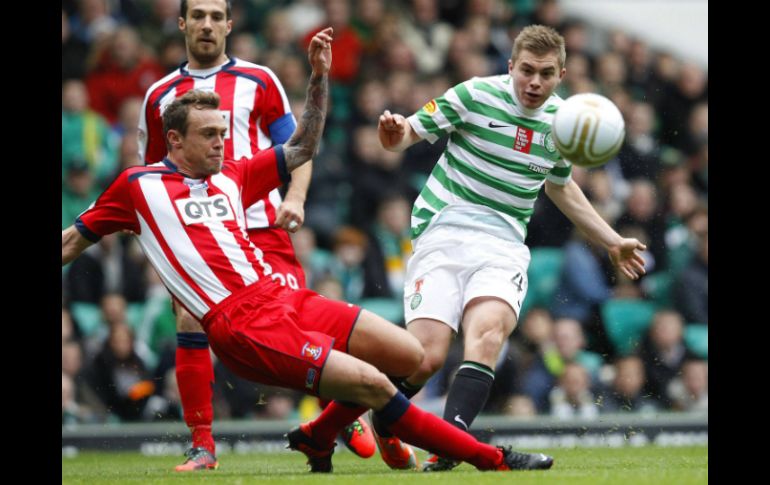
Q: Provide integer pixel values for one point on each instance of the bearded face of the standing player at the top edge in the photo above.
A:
(205, 30)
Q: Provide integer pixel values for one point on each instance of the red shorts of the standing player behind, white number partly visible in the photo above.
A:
(278, 251)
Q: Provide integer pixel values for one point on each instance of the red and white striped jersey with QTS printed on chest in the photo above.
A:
(191, 230)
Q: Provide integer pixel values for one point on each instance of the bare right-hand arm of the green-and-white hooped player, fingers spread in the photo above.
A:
(623, 251)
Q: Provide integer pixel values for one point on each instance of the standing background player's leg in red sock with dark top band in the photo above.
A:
(195, 376)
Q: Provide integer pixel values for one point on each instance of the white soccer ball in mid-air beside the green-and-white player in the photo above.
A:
(588, 130)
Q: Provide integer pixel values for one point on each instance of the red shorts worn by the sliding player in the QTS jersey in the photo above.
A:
(266, 333)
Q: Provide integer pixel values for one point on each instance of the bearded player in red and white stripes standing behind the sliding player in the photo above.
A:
(257, 115)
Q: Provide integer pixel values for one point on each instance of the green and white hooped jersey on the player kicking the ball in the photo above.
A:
(498, 157)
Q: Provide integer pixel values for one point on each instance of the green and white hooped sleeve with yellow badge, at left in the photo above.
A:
(442, 115)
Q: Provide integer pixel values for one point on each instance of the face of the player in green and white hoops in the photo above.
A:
(535, 77)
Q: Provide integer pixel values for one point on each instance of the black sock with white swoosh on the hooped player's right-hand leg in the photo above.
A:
(468, 394)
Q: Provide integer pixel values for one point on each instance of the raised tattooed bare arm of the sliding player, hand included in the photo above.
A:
(306, 138)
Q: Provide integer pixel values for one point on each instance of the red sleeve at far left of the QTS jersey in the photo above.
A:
(113, 211)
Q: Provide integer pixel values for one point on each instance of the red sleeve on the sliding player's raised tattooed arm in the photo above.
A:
(261, 174)
